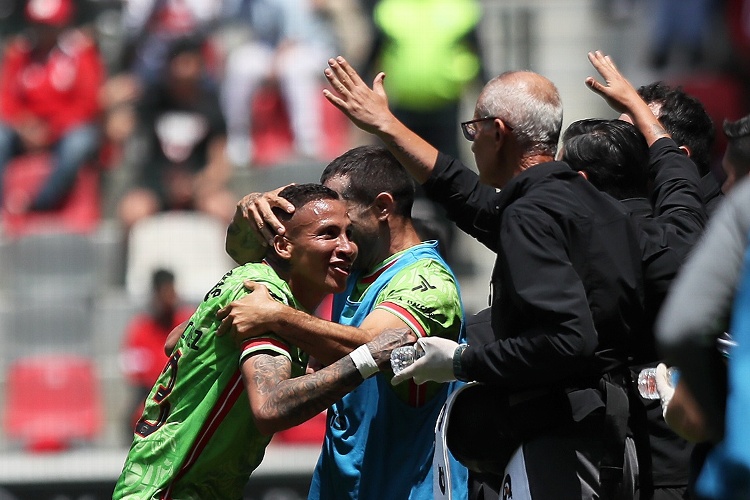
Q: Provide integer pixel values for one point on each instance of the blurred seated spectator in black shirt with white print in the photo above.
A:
(183, 164)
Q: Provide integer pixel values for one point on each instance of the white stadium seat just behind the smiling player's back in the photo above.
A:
(190, 244)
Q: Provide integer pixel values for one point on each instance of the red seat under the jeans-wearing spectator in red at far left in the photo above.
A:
(79, 213)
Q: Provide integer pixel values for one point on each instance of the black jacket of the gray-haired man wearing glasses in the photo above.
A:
(567, 292)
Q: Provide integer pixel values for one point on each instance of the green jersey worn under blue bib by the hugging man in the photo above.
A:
(425, 296)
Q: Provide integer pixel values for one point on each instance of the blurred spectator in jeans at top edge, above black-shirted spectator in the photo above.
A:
(152, 26)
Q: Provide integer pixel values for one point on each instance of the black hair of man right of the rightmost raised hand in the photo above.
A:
(685, 119)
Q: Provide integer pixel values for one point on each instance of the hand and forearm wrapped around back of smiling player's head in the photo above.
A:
(254, 225)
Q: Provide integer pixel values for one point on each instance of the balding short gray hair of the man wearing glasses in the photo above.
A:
(530, 104)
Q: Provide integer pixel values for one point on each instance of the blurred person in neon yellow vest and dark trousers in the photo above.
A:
(428, 72)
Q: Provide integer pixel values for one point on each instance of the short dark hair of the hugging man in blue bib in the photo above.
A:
(372, 170)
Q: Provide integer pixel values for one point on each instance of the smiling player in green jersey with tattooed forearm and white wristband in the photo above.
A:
(198, 436)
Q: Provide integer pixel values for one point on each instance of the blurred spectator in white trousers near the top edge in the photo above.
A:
(290, 41)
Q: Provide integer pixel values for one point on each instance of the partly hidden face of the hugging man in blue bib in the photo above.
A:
(364, 225)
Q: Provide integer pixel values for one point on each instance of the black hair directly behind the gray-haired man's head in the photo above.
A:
(613, 153)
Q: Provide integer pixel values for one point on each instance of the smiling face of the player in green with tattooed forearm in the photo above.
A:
(323, 252)
